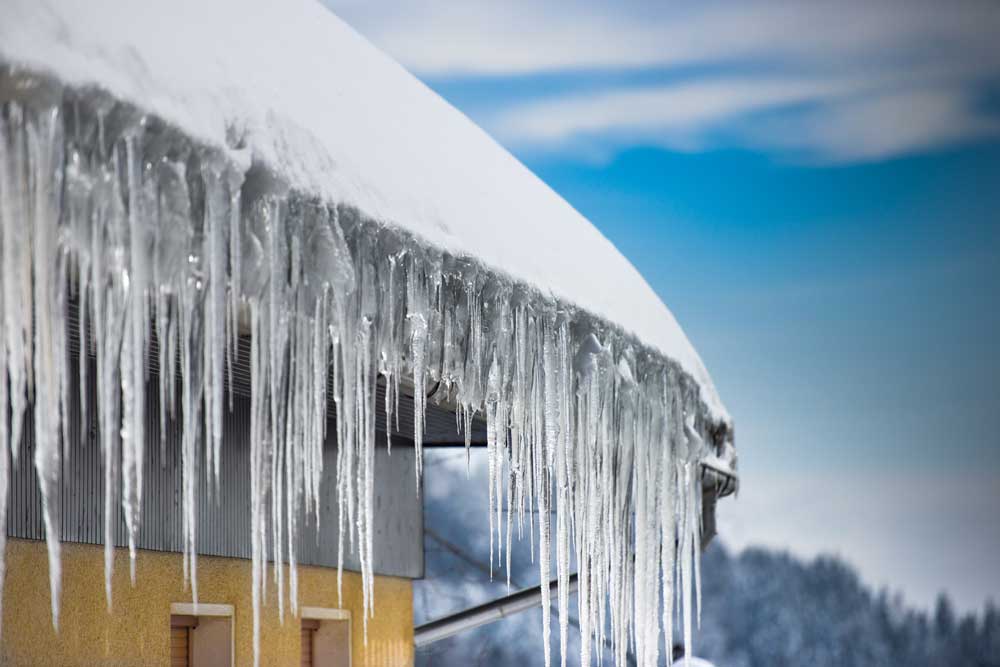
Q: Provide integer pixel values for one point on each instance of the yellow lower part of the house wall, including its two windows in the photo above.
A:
(142, 626)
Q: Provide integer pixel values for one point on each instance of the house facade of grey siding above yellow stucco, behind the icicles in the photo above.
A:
(155, 621)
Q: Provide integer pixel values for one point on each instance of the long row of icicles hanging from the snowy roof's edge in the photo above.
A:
(162, 240)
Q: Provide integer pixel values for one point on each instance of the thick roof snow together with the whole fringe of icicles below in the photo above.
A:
(106, 206)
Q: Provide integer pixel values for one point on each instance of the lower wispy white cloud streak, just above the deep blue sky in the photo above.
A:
(826, 120)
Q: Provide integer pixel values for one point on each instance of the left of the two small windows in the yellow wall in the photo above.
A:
(201, 636)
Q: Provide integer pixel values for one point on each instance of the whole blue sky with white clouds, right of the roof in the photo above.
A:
(813, 189)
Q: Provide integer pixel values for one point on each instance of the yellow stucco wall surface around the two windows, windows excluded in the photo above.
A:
(136, 632)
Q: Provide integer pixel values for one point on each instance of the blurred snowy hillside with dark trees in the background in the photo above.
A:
(760, 608)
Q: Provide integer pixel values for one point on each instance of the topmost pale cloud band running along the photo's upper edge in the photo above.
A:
(437, 38)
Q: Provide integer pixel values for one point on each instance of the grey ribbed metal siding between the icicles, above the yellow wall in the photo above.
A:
(223, 521)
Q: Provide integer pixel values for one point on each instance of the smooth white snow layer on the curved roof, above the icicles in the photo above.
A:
(337, 118)
